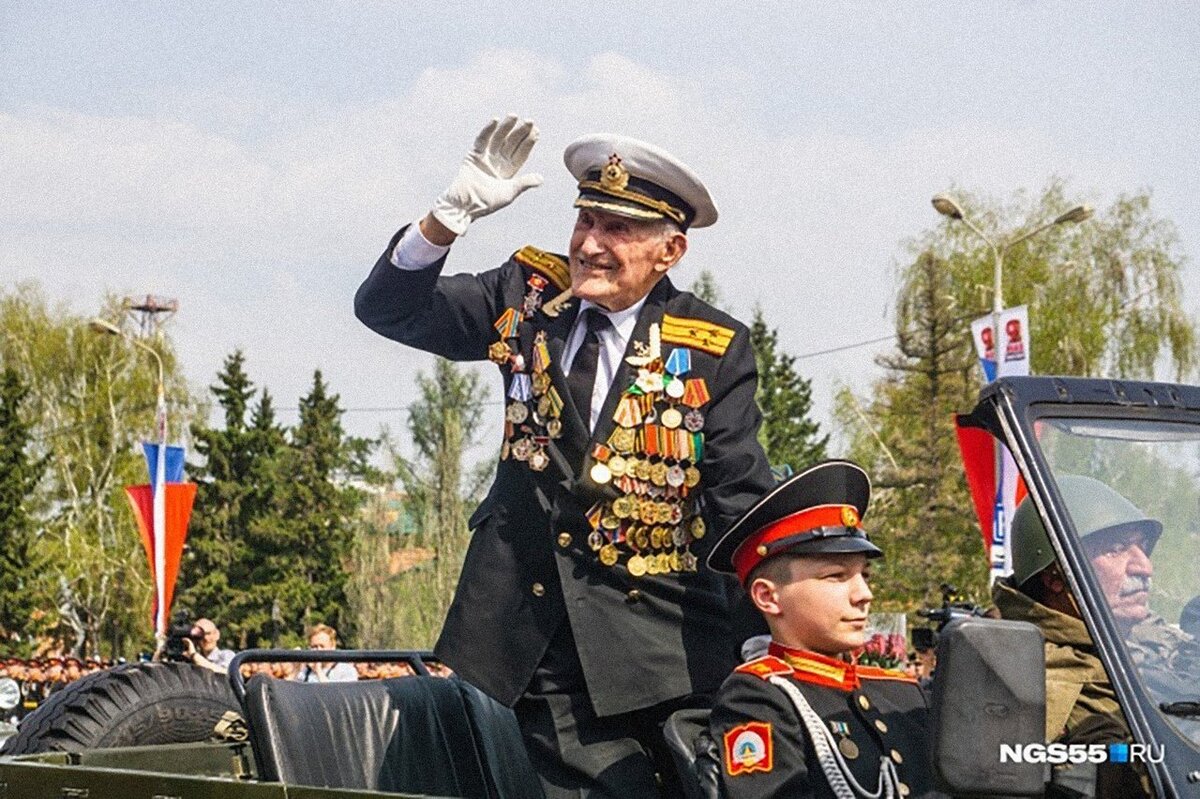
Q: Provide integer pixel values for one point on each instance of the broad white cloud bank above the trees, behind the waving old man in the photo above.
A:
(263, 217)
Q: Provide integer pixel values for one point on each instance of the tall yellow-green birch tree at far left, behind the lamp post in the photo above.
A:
(91, 401)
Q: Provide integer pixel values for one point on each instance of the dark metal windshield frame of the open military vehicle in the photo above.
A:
(1010, 410)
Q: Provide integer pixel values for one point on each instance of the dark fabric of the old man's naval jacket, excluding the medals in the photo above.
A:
(641, 640)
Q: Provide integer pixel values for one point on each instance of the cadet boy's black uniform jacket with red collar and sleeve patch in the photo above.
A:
(872, 714)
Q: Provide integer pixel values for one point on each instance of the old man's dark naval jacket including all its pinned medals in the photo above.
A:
(620, 555)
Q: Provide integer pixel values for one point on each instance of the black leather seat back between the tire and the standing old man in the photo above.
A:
(413, 735)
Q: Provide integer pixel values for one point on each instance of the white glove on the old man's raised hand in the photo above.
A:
(488, 179)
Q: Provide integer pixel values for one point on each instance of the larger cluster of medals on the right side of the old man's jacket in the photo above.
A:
(652, 459)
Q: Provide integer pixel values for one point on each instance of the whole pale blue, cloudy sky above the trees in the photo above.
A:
(253, 159)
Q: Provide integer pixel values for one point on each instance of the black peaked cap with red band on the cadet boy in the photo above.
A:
(818, 512)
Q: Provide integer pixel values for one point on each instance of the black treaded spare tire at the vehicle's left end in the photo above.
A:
(136, 705)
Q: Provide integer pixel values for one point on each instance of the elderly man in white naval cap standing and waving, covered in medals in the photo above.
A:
(629, 446)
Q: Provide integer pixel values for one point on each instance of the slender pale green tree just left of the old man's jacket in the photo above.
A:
(440, 492)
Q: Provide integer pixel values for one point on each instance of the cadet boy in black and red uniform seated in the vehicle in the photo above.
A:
(805, 720)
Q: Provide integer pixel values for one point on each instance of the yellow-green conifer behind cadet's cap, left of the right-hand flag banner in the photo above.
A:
(921, 513)
